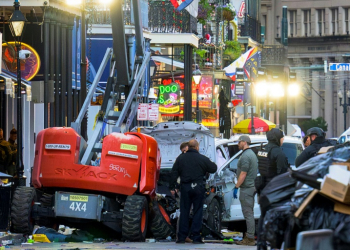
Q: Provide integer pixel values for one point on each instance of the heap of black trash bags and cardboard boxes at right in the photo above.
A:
(319, 198)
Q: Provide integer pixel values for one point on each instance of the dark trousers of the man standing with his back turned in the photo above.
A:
(191, 193)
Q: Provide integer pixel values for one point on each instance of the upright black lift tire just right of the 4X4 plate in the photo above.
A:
(132, 216)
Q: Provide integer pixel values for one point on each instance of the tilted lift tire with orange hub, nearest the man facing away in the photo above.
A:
(160, 226)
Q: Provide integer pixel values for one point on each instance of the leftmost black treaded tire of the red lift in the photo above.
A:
(21, 209)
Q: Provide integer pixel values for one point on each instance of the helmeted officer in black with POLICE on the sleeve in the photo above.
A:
(272, 162)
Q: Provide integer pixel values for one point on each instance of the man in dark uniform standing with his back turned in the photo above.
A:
(191, 168)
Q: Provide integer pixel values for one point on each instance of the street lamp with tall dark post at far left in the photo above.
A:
(17, 22)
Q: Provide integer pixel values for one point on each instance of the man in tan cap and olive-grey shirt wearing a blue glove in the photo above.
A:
(247, 168)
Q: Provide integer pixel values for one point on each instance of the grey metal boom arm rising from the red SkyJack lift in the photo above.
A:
(119, 79)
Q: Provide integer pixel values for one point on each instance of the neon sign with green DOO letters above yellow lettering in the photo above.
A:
(169, 98)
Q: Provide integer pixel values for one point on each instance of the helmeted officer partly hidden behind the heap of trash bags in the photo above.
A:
(318, 140)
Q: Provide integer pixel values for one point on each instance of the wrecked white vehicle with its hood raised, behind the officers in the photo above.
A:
(224, 152)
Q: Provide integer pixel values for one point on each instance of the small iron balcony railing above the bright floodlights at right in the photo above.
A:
(272, 55)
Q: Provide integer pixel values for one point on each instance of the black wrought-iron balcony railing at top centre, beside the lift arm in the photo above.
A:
(163, 18)
